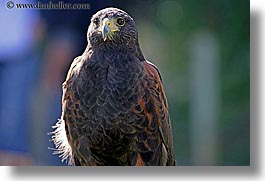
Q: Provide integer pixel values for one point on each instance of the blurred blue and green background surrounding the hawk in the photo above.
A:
(200, 47)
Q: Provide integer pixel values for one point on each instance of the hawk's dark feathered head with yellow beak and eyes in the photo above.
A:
(112, 26)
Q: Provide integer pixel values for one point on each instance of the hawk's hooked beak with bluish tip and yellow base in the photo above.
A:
(108, 28)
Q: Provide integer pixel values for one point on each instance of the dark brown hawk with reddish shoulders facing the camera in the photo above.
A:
(114, 107)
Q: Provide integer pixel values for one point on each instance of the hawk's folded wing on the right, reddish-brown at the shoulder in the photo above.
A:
(155, 142)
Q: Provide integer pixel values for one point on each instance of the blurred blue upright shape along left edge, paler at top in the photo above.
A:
(18, 64)
